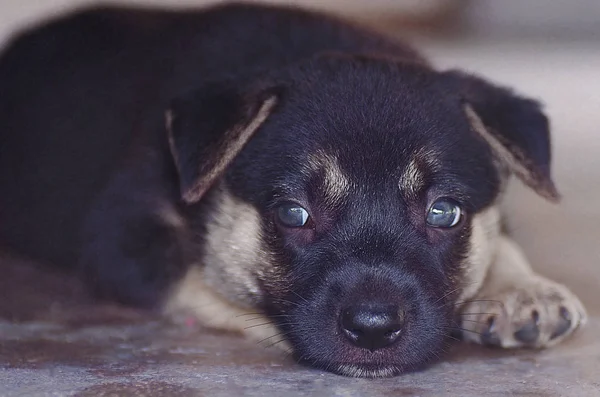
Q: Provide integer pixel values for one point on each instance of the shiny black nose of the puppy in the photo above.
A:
(372, 326)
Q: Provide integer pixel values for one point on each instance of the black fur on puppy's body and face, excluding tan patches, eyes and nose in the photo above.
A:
(86, 166)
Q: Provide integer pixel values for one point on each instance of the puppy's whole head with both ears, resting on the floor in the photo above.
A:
(355, 203)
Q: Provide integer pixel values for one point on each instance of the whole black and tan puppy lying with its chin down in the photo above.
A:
(241, 158)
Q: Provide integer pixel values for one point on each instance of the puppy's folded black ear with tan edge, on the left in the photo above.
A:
(208, 128)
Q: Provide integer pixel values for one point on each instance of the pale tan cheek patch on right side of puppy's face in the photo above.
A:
(485, 230)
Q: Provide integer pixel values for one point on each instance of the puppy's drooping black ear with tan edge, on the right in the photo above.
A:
(515, 128)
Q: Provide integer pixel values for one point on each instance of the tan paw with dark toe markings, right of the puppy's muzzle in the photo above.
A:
(537, 314)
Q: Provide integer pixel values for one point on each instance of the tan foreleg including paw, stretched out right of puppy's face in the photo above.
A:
(517, 307)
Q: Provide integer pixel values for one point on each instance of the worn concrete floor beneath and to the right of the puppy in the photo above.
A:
(54, 342)
